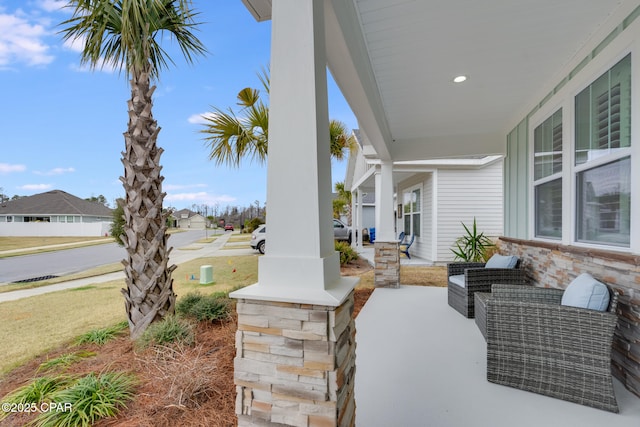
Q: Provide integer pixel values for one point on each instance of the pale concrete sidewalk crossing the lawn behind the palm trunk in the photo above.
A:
(177, 256)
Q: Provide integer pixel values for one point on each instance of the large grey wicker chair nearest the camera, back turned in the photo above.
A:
(536, 344)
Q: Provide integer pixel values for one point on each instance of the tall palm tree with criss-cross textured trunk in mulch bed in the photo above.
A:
(124, 34)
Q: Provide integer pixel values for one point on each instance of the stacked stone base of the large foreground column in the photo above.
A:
(295, 364)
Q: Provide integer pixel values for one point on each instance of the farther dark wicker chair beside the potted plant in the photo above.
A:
(477, 278)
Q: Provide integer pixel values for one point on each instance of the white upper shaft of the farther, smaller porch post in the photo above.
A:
(385, 219)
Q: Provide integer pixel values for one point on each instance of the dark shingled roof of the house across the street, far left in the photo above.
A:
(55, 202)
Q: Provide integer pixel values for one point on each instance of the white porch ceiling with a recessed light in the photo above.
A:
(395, 62)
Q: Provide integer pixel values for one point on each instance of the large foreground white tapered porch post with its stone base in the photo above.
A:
(295, 358)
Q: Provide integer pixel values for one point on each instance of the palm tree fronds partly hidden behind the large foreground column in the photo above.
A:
(234, 136)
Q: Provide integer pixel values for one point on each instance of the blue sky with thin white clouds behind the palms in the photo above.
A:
(61, 124)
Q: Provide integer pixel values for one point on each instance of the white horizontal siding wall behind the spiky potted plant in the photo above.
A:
(463, 195)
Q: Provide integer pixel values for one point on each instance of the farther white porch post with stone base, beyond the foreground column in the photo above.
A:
(387, 254)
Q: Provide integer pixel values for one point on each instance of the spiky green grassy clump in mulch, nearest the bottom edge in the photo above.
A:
(90, 399)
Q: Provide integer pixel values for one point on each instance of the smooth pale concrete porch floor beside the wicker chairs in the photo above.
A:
(421, 364)
